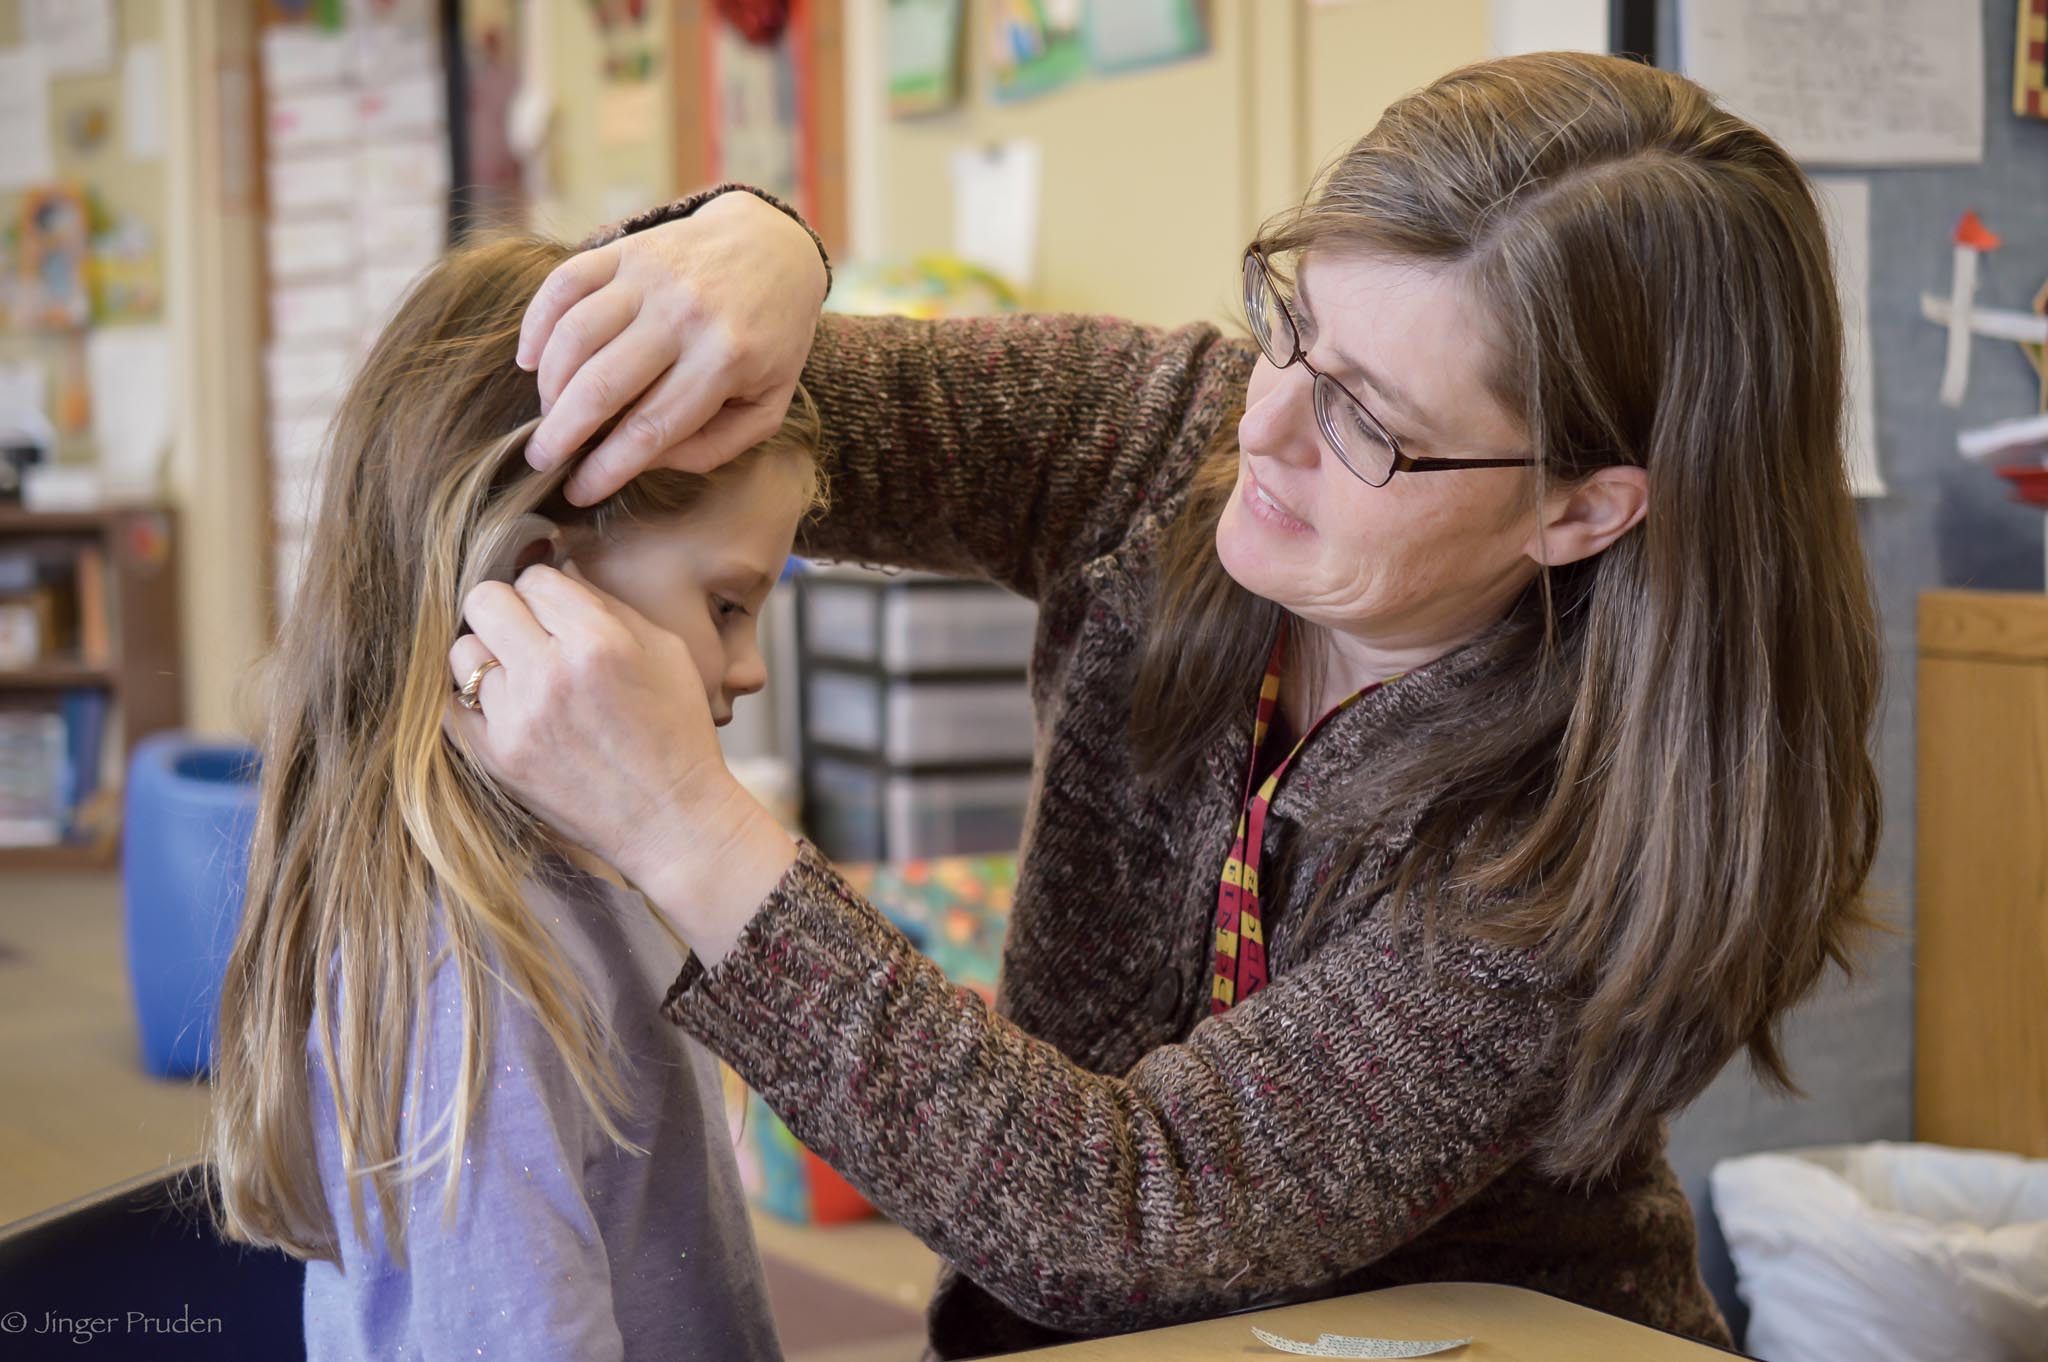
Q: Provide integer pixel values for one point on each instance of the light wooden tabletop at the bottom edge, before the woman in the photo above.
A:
(1506, 1324)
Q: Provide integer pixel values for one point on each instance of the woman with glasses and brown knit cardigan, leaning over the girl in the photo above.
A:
(1453, 714)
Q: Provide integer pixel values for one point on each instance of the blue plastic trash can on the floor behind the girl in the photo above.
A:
(185, 853)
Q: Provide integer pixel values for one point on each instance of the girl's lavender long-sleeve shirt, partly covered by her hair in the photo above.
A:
(564, 1246)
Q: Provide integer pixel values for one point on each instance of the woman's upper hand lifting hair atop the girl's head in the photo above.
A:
(695, 329)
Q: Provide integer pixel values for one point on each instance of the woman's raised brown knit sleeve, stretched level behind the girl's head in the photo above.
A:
(1009, 448)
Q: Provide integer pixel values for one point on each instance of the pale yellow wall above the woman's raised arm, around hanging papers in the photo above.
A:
(1156, 181)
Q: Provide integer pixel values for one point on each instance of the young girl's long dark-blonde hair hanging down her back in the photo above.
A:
(372, 822)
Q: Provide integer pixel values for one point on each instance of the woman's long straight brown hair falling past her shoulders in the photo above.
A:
(1668, 785)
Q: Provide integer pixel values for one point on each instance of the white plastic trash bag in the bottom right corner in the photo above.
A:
(1889, 1254)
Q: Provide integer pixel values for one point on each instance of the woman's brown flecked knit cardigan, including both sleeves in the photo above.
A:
(1099, 1154)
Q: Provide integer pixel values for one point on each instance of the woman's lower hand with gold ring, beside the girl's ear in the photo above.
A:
(597, 720)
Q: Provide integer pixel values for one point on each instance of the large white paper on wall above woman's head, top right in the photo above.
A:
(1850, 83)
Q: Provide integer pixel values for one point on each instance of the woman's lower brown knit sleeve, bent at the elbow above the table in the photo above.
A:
(1287, 1142)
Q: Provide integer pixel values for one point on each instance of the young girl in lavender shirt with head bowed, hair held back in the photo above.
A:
(443, 1076)
